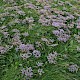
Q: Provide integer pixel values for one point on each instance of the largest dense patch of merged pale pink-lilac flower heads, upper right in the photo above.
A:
(57, 19)
